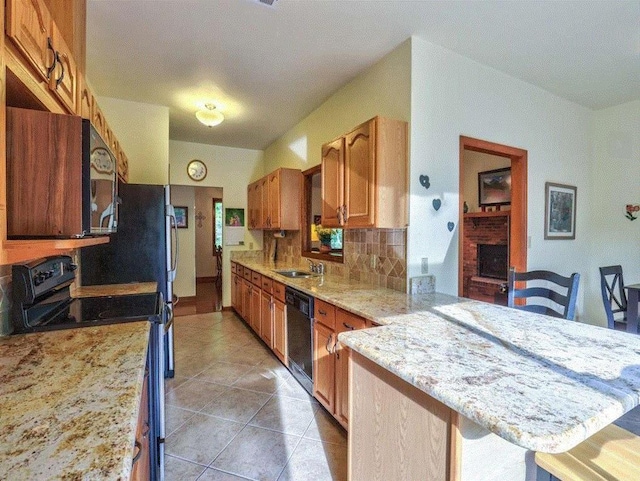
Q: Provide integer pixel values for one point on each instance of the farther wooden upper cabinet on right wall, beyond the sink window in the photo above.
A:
(274, 201)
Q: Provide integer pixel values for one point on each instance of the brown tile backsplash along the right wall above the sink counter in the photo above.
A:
(374, 256)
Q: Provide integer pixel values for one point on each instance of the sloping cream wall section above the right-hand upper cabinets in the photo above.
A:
(384, 89)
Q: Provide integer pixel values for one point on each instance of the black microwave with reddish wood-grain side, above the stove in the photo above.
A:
(61, 177)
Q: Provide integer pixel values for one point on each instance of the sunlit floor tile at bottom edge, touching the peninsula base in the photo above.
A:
(316, 461)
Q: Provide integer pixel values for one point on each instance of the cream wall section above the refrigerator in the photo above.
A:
(143, 133)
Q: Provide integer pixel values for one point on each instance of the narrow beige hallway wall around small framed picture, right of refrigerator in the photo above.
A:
(185, 283)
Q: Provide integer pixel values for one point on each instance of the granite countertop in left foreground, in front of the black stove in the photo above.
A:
(70, 402)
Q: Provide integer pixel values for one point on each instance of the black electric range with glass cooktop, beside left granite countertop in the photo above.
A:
(42, 302)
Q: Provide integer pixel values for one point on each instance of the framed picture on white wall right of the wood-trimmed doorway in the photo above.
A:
(559, 211)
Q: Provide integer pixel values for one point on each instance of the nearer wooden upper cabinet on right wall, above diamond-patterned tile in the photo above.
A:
(364, 176)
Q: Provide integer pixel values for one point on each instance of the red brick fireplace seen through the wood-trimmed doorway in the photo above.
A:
(487, 229)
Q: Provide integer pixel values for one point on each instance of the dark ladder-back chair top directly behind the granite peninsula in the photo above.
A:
(540, 288)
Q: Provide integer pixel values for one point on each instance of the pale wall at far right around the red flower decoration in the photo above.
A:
(615, 183)
